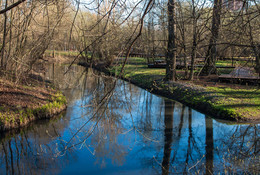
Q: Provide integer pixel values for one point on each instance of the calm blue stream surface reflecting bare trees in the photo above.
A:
(117, 128)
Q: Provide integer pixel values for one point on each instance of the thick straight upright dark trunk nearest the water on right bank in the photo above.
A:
(171, 50)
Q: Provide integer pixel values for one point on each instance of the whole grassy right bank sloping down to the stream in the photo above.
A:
(221, 100)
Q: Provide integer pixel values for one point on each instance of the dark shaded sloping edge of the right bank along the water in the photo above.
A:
(194, 96)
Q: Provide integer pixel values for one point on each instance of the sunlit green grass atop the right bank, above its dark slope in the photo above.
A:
(244, 102)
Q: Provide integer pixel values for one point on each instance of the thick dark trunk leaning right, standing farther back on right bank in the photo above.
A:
(211, 56)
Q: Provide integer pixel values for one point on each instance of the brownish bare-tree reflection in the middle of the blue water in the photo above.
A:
(105, 126)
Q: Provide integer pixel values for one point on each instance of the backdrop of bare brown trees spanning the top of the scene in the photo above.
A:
(180, 30)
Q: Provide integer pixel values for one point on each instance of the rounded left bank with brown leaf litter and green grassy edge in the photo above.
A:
(27, 101)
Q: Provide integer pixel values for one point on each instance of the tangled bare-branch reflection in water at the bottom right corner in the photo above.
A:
(241, 151)
